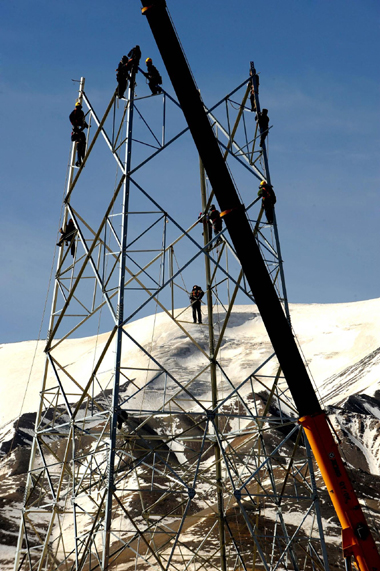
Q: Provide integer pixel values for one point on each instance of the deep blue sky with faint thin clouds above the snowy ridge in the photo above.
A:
(318, 64)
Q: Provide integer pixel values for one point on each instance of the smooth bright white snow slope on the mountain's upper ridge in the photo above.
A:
(332, 337)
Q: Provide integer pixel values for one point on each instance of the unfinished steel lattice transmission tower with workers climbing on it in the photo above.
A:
(137, 461)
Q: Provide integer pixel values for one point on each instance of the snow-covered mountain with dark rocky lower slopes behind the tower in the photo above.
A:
(340, 343)
